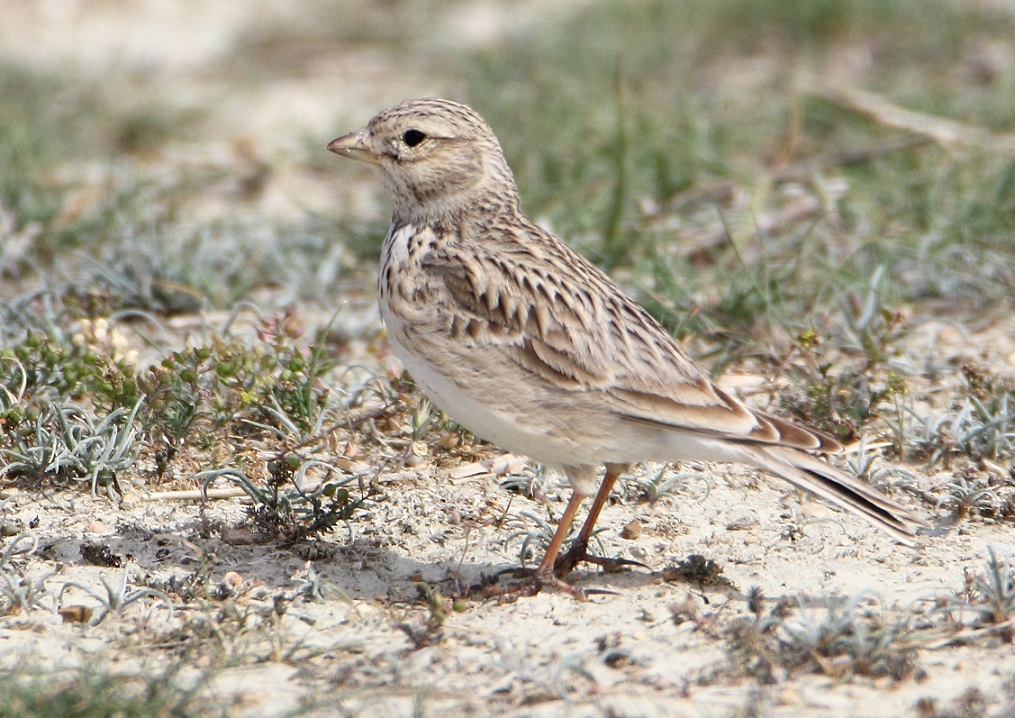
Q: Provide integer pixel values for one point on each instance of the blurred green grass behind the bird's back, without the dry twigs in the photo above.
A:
(657, 104)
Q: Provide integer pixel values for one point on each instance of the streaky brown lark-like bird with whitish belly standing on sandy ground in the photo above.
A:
(532, 348)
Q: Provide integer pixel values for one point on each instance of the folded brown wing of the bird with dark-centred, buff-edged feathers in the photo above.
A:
(562, 319)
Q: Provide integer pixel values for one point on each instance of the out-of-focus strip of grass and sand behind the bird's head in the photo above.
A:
(176, 150)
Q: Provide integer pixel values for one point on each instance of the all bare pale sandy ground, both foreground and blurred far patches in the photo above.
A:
(621, 654)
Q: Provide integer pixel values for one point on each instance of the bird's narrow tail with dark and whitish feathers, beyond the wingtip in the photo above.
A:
(839, 489)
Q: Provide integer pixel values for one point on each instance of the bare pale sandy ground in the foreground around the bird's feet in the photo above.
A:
(620, 654)
